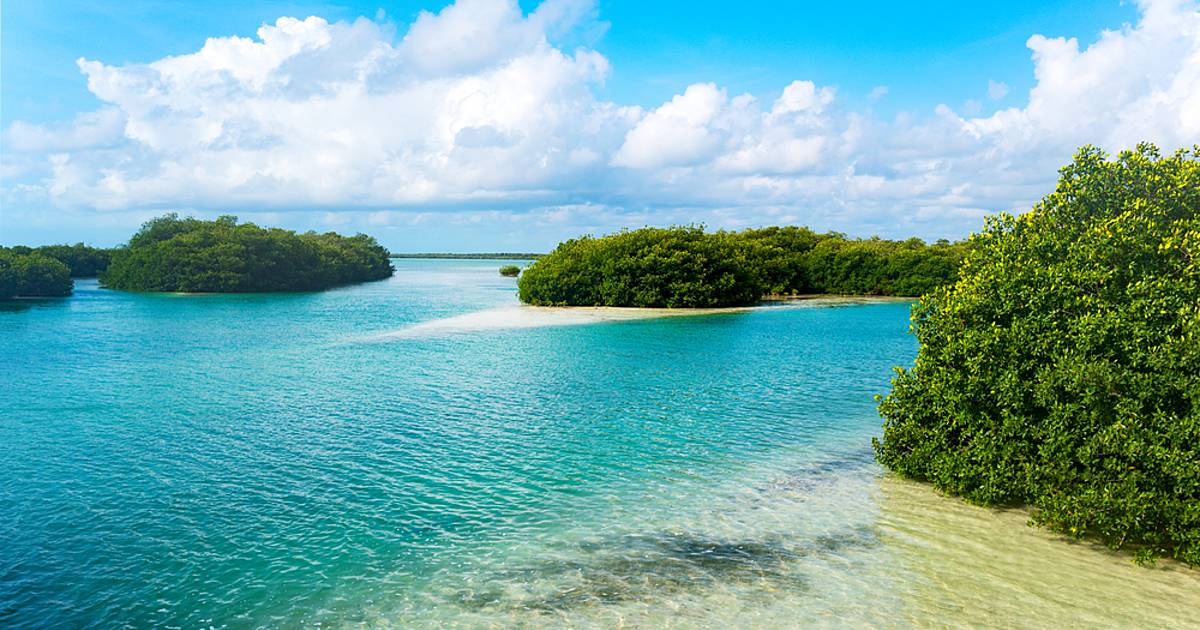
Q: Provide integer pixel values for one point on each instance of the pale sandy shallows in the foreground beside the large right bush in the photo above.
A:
(836, 545)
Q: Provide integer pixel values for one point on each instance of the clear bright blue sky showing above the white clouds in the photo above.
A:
(927, 53)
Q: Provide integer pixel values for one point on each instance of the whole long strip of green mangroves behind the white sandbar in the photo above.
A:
(687, 267)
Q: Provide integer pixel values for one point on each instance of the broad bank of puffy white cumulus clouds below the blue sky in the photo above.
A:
(478, 107)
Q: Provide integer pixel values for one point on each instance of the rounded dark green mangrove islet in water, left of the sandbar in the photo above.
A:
(223, 256)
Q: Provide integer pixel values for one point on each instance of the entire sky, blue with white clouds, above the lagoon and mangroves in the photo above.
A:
(488, 125)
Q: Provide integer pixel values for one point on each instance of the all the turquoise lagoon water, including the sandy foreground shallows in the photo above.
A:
(334, 460)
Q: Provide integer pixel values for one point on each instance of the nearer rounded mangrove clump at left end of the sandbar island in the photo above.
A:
(650, 267)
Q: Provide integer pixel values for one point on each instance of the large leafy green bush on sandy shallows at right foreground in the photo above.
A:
(1063, 370)
